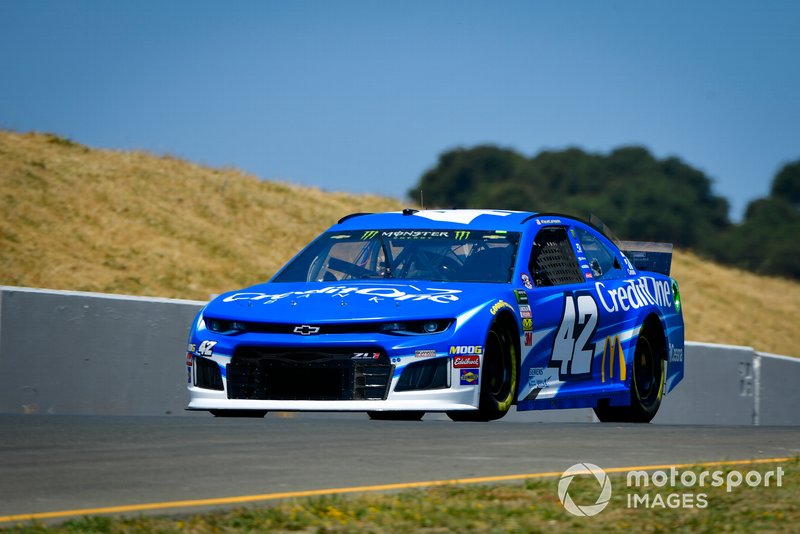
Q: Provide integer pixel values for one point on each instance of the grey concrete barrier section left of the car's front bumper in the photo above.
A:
(86, 353)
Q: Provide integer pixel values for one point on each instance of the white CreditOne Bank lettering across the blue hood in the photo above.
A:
(440, 296)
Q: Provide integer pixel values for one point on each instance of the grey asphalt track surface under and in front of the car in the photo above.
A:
(56, 467)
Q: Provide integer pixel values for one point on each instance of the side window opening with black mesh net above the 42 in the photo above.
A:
(553, 260)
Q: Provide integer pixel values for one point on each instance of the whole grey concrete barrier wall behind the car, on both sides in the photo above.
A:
(86, 353)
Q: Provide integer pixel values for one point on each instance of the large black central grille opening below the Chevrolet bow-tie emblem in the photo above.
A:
(324, 374)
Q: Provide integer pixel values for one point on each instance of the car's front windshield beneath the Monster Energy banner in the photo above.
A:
(434, 255)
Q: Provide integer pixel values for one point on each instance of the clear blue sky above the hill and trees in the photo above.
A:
(363, 96)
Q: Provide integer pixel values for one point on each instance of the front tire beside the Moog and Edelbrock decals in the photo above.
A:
(499, 377)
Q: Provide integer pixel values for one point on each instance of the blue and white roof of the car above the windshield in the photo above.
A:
(437, 219)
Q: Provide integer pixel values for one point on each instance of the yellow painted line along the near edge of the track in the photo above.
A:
(355, 489)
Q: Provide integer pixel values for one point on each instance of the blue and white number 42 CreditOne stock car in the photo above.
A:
(466, 312)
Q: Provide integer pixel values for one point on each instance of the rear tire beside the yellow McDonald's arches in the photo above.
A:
(647, 383)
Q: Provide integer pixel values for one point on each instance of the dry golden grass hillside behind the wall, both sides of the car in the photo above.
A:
(77, 218)
